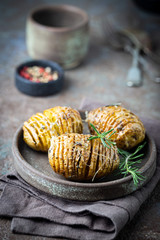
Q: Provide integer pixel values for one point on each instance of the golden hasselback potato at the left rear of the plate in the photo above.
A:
(39, 129)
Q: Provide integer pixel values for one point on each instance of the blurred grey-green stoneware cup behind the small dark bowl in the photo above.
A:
(59, 33)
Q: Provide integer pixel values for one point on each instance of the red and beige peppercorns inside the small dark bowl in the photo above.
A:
(39, 74)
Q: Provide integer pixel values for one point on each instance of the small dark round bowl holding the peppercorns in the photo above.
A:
(39, 88)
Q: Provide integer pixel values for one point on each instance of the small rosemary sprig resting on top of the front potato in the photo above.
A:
(107, 142)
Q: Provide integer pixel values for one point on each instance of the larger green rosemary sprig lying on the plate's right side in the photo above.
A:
(128, 161)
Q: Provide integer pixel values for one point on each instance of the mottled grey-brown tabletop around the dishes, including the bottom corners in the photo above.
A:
(101, 76)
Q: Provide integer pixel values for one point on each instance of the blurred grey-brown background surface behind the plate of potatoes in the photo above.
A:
(101, 76)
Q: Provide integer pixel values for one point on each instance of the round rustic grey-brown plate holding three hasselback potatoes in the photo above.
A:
(34, 168)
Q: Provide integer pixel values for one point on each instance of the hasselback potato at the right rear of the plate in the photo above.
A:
(129, 129)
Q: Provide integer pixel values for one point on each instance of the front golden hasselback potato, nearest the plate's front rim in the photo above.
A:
(75, 157)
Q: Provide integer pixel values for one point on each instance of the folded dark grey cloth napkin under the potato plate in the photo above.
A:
(37, 213)
